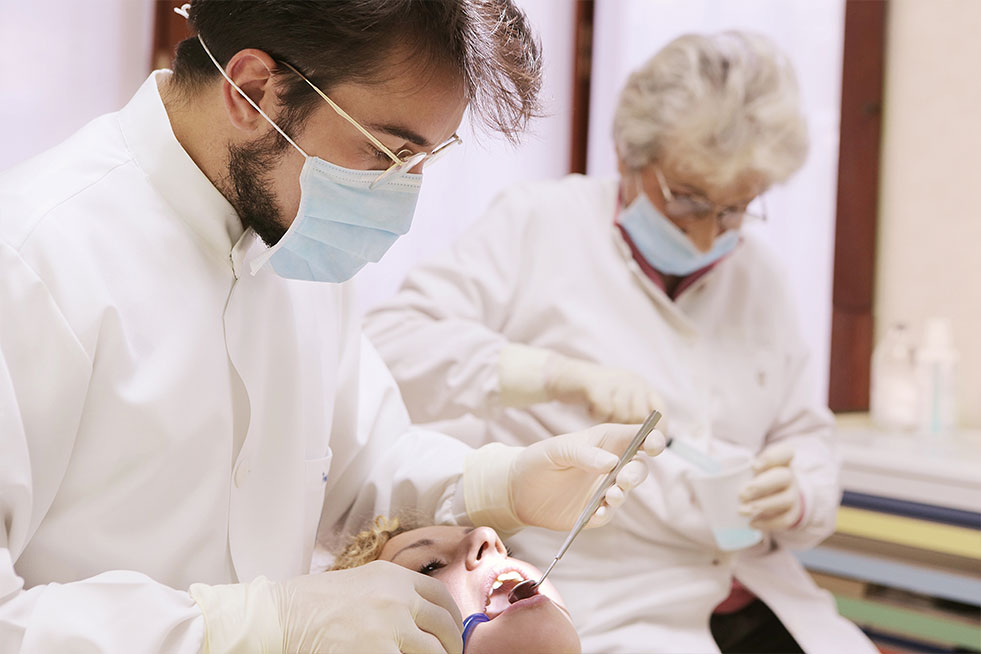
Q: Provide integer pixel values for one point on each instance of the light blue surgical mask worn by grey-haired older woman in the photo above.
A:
(666, 247)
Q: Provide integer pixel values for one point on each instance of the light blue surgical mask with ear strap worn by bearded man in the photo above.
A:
(342, 223)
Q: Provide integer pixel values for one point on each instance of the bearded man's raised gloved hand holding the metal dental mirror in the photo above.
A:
(548, 484)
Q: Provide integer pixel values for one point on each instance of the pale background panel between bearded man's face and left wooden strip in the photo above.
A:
(458, 189)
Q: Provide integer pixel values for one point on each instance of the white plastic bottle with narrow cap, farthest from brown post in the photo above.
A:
(936, 363)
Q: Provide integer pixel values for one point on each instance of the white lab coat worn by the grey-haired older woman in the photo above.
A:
(546, 267)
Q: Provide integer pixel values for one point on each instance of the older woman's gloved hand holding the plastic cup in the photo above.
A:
(772, 497)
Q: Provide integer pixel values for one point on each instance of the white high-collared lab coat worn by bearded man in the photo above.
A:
(166, 417)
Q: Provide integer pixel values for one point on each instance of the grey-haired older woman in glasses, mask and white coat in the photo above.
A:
(584, 299)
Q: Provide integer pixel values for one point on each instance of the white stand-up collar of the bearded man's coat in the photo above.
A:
(150, 138)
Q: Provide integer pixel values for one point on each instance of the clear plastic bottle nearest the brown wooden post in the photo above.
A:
(893, 391)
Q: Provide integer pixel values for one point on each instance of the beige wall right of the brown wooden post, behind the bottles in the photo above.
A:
(929, 237)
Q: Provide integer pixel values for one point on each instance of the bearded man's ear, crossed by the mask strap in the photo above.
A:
(252, 71)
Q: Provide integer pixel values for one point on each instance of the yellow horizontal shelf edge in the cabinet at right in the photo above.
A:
(912, 532)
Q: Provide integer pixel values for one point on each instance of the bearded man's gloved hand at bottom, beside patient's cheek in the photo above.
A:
(378, 607)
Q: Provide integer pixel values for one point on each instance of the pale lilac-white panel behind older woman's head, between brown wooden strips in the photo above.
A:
(802, 212)
